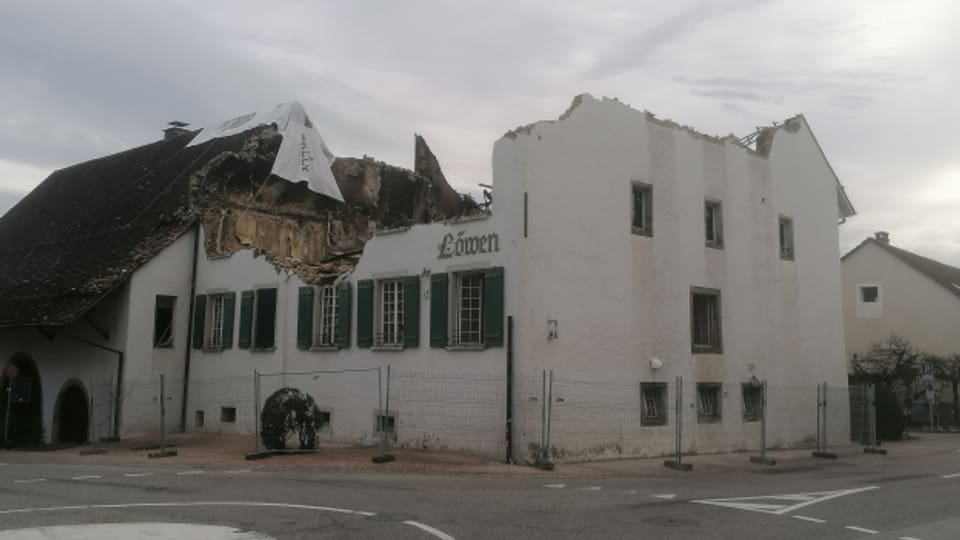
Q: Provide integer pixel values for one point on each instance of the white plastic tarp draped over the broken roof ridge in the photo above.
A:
(303, 156)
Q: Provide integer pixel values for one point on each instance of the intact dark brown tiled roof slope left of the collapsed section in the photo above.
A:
(87, 227)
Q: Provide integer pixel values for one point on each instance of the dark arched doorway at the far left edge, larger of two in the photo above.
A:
(26, 407)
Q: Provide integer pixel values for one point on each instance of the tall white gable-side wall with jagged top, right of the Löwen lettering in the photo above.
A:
(622, 299)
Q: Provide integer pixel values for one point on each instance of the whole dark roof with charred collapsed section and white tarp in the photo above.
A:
(83, 231)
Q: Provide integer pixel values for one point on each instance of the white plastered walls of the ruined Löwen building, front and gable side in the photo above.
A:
(590, 300)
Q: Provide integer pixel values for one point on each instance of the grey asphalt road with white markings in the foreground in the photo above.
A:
(865, 497)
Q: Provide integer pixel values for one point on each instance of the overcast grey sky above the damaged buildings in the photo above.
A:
(877, 81)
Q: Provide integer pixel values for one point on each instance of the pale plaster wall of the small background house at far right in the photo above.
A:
(911, 305)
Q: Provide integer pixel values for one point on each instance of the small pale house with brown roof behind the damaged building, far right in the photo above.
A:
(888, 290)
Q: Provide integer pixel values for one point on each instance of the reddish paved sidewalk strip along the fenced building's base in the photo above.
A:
(209, 451)
